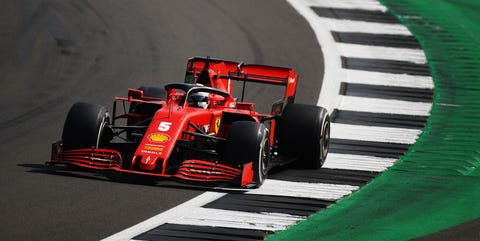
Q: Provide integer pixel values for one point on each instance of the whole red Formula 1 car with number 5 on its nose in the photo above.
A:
(196, 130)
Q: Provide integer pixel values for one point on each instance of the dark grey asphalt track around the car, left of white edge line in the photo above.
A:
(55, 53)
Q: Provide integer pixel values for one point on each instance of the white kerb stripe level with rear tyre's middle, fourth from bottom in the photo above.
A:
(374, 133)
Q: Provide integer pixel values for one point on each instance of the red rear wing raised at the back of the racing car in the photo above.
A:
(219, 73)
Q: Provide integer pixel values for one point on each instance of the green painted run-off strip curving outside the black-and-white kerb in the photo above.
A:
(436, 185)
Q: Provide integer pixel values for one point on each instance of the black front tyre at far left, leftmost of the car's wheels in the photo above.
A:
(85, 125)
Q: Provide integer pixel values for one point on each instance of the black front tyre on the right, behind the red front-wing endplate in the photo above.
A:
(248, 141)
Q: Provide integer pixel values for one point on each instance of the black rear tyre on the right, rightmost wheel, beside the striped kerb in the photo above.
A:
(304, 134)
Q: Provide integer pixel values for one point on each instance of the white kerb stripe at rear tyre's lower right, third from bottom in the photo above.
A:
(358, 162)
